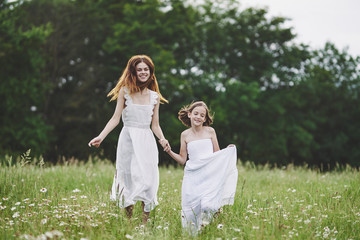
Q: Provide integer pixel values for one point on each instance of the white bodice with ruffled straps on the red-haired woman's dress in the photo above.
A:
(138, 115)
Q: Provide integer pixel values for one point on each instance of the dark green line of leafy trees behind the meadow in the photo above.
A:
(280, 102)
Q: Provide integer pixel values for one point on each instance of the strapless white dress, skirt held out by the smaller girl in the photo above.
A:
(209, 182)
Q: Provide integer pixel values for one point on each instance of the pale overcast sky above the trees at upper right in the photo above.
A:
(318, 21)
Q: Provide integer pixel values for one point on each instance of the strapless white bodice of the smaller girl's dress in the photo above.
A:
(199, 149)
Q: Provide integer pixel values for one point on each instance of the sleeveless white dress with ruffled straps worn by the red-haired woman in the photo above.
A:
(137, 174)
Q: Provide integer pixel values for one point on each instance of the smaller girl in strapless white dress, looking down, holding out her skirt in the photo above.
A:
(210, 174)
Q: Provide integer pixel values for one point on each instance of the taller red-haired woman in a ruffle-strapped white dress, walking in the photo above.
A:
(138, 99)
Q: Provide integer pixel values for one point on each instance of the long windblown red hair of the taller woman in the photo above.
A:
(129, 80)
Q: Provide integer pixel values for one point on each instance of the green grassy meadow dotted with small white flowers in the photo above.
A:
(71, 201)
